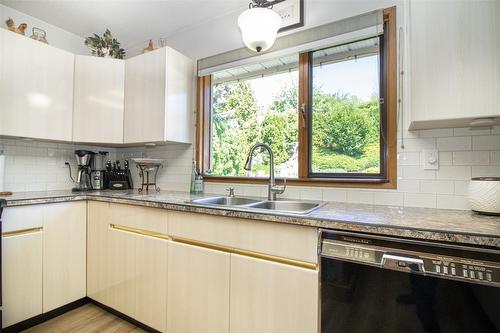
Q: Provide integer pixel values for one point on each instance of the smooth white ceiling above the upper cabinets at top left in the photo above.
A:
(132, 22)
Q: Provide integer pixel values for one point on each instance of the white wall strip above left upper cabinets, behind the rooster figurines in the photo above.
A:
(56, 36)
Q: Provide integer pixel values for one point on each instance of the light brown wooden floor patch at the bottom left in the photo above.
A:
(86, 319)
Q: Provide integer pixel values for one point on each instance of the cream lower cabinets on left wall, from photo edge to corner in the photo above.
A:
(43, 258)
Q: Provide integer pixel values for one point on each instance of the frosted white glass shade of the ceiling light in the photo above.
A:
(259, 27)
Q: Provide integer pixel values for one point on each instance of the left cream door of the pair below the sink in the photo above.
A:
(198, 290)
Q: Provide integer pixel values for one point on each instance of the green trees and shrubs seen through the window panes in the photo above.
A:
(345, 130)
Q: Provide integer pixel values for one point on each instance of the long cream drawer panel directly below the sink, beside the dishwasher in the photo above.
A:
(276, 239)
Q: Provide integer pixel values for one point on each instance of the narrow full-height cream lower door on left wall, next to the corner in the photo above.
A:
(64, 253)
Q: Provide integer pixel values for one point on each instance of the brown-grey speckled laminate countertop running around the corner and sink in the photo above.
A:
(456, 226)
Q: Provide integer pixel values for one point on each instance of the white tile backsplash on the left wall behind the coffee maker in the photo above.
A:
(39, 166)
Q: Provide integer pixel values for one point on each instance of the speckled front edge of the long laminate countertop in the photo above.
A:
(395, 231)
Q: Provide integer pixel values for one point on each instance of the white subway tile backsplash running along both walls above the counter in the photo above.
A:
(463, 153)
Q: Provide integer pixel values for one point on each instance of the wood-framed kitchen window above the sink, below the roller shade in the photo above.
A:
(329, 116)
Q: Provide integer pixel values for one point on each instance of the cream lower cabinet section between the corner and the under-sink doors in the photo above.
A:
(127, 261)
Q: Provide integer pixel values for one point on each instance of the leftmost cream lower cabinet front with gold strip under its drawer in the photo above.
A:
(21, 263)
